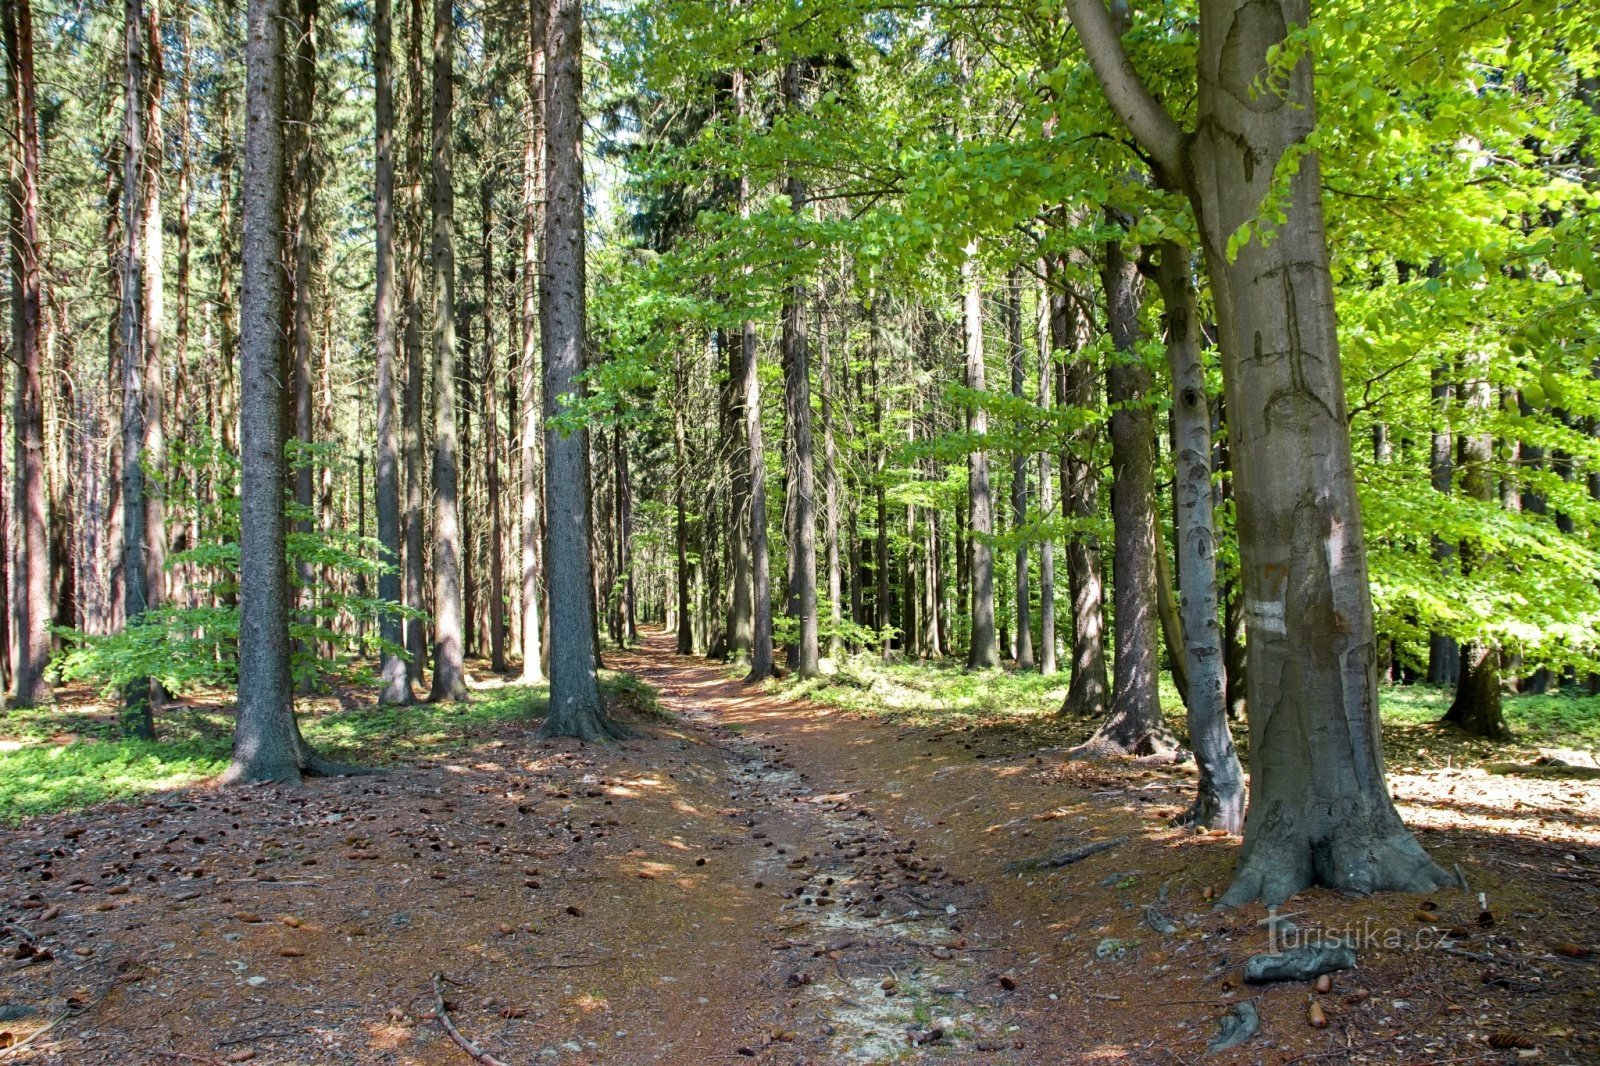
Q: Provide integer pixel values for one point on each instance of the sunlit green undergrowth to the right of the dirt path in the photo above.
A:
(945, 695)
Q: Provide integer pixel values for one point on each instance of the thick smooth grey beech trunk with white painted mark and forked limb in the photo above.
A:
(1319, 804)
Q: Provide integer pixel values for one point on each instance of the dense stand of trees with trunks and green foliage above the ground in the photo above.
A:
(1100, 340)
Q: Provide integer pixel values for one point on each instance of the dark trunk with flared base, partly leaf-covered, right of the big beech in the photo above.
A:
(1478, 705)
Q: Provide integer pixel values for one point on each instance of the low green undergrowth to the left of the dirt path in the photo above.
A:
(71, 756)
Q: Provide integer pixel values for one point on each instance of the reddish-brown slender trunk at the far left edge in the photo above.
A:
(31, 603)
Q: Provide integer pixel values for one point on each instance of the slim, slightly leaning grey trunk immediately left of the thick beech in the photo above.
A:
(1220, 799)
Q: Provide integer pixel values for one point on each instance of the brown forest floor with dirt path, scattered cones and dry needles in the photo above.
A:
(777, 881)
